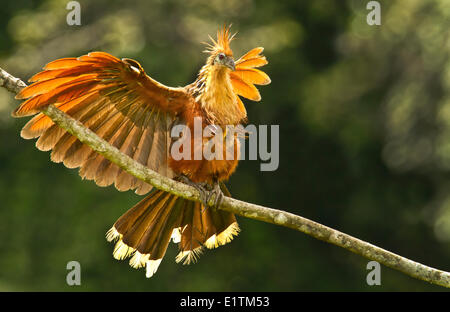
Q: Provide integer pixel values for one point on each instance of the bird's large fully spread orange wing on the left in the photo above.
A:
(116, 100)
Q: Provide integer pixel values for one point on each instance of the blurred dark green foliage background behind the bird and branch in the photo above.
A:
(364, 115)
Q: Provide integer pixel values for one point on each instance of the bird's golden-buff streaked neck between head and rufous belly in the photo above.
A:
(216, 96)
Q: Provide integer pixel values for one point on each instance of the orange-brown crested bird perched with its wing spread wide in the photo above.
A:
(118, 101)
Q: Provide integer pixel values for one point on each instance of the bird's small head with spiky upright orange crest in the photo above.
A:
(220, 51)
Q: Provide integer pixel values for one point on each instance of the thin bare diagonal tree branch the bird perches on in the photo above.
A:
(252, 211)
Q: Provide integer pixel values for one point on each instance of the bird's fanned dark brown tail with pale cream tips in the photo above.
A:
(144, 232)
